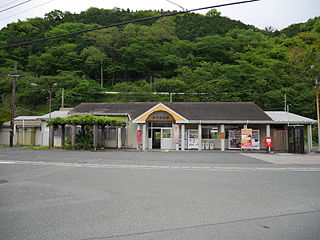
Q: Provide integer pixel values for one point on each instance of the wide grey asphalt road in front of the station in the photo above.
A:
(85, 195)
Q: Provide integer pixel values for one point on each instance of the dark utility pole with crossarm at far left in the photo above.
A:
(13, 102)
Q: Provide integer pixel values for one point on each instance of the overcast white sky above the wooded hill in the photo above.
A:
(277, 14)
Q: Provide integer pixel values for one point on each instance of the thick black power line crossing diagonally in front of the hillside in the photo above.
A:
(123, 23)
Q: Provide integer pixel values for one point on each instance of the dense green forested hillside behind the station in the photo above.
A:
(207, 57)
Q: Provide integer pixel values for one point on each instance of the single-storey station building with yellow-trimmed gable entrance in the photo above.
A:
(201, 125)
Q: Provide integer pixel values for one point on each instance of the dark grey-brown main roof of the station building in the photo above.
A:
(232, 111)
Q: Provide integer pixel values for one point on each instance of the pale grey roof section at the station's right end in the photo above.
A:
(287, 117)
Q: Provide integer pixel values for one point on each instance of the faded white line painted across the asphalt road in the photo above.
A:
(163, 167)
